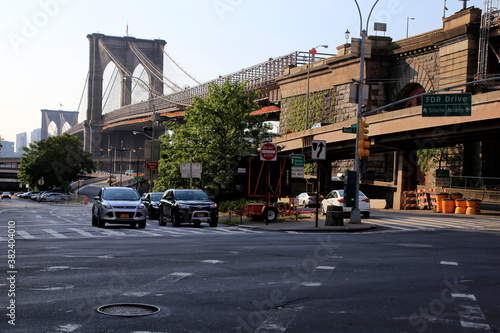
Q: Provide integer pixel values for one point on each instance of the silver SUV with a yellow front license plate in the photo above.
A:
(118, 205)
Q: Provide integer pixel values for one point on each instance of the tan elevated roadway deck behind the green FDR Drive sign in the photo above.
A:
(404, 129)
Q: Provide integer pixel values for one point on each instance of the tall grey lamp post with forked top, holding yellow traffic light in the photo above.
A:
(355, 213)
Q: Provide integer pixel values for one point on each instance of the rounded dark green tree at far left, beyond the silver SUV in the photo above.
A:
(58, 159)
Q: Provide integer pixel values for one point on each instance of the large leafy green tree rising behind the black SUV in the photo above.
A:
(218, 128)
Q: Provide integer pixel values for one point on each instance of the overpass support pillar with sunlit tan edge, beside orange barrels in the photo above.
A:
(406, 176)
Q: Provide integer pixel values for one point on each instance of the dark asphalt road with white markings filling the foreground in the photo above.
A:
(230, 280)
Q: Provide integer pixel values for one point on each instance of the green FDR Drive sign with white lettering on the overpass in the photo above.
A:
(447, 105)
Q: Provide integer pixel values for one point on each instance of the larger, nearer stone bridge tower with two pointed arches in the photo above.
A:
(126, 53)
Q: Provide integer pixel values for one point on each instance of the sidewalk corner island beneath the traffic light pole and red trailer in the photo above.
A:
(307, 224)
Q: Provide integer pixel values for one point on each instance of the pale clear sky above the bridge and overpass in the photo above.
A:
(45, 52)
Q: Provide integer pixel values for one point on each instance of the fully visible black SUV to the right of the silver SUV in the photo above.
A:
(190, 206)
